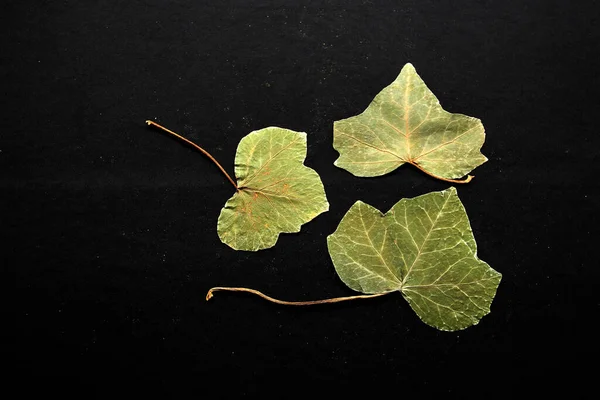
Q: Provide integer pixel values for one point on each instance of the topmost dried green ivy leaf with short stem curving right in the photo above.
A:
(406, 124)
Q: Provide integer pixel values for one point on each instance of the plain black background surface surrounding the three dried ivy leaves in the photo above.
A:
(109, 227)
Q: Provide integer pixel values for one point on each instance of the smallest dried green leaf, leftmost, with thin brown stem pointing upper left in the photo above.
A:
(275, 191)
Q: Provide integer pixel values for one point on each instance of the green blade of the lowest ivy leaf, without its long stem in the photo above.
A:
(425, 249)
